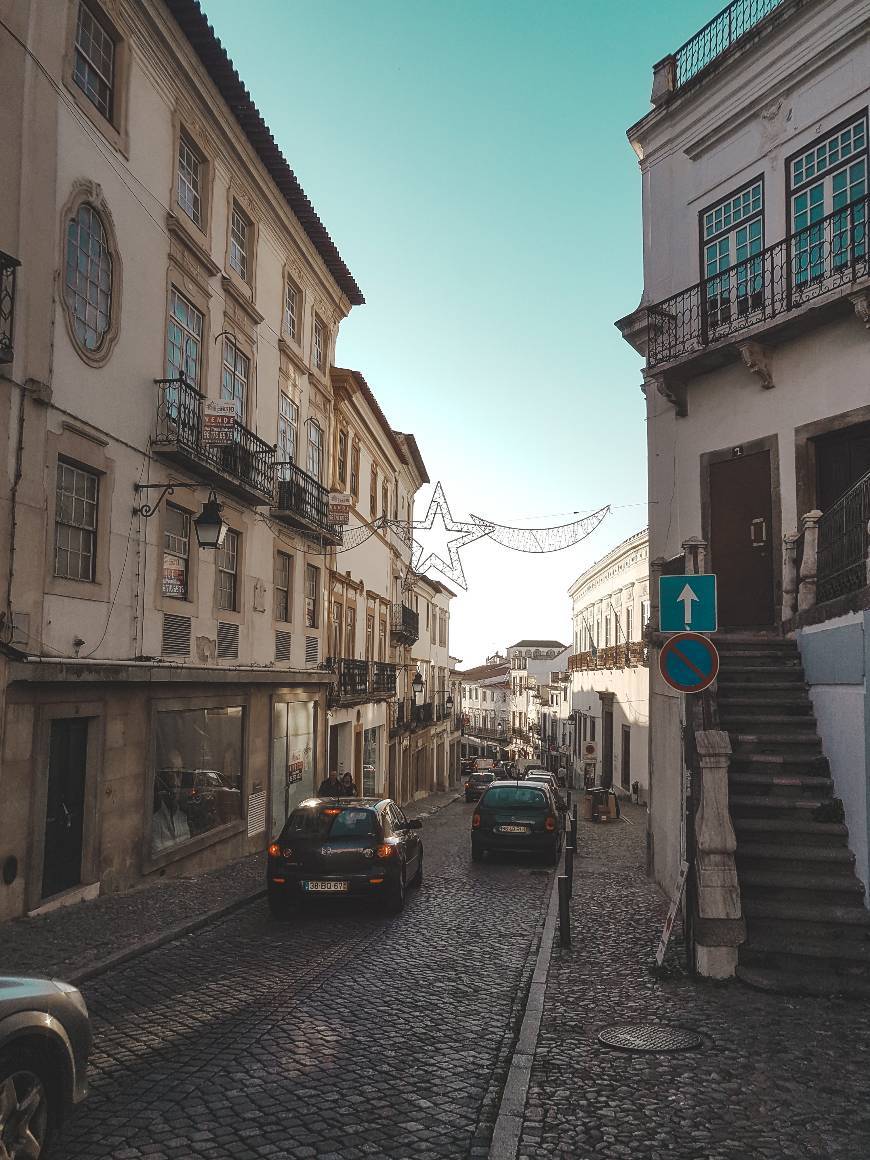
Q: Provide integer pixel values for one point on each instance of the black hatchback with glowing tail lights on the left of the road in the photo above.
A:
(345, 847)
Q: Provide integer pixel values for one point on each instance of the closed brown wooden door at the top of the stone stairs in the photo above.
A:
(742, 540)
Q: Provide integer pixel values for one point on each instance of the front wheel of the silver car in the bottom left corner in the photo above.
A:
(26, 1107)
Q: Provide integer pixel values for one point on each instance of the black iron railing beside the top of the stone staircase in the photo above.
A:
(844, 542)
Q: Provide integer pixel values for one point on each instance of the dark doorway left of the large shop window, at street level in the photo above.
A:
(66, 806)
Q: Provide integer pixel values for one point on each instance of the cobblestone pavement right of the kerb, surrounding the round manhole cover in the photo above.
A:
(777, 1077)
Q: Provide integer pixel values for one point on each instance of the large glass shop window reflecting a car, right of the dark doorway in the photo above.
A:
(198, 775)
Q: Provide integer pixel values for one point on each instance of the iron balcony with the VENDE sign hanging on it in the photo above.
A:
(244, 466)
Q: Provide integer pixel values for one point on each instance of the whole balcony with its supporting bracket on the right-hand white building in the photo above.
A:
(814, 273)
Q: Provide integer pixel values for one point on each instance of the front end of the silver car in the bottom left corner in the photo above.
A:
(45, 1047)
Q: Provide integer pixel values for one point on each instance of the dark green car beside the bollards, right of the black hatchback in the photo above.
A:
(520, 817)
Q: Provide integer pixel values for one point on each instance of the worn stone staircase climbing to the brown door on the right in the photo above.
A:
(808, 930)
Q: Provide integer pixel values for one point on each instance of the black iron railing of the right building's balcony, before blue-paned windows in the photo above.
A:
(828, 256)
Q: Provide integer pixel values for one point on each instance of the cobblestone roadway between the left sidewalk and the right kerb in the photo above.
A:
(340, 1034)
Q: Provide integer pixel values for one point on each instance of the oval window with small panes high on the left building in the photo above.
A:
(88, 289)
